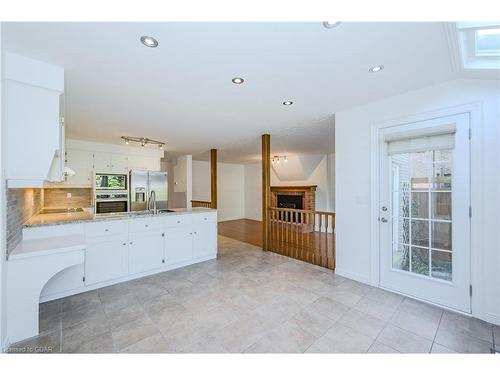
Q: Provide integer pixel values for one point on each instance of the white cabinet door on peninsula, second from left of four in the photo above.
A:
(145, 251)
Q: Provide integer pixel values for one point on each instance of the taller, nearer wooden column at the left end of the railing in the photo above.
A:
(266, 189)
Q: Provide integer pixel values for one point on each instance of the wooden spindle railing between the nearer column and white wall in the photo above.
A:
(304, 235)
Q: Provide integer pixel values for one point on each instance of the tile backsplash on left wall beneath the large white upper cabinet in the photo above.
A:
(21, 205)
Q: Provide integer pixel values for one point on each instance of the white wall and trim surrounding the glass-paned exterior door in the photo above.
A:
(353, 157)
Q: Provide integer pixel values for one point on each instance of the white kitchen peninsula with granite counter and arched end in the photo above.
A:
(73, 254)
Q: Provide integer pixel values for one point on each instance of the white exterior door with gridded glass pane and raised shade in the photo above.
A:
(424, 212)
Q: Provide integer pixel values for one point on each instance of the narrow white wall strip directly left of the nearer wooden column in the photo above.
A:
(253, 191)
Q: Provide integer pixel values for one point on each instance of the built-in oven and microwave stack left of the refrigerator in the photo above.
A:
(111, 192)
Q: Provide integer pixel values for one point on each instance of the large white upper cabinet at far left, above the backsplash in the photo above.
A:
(35, 132)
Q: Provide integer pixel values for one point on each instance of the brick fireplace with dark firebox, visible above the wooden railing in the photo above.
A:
(285, 197)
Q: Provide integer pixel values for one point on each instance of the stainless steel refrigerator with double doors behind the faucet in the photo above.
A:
(141, 184)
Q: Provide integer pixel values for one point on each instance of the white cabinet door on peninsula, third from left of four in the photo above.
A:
(178, 245)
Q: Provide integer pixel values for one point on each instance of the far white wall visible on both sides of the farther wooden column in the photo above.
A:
(230, 188)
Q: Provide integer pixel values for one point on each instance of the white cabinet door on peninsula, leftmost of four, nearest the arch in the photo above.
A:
(106, 260)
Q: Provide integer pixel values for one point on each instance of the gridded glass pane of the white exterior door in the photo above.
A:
(422, 221)
